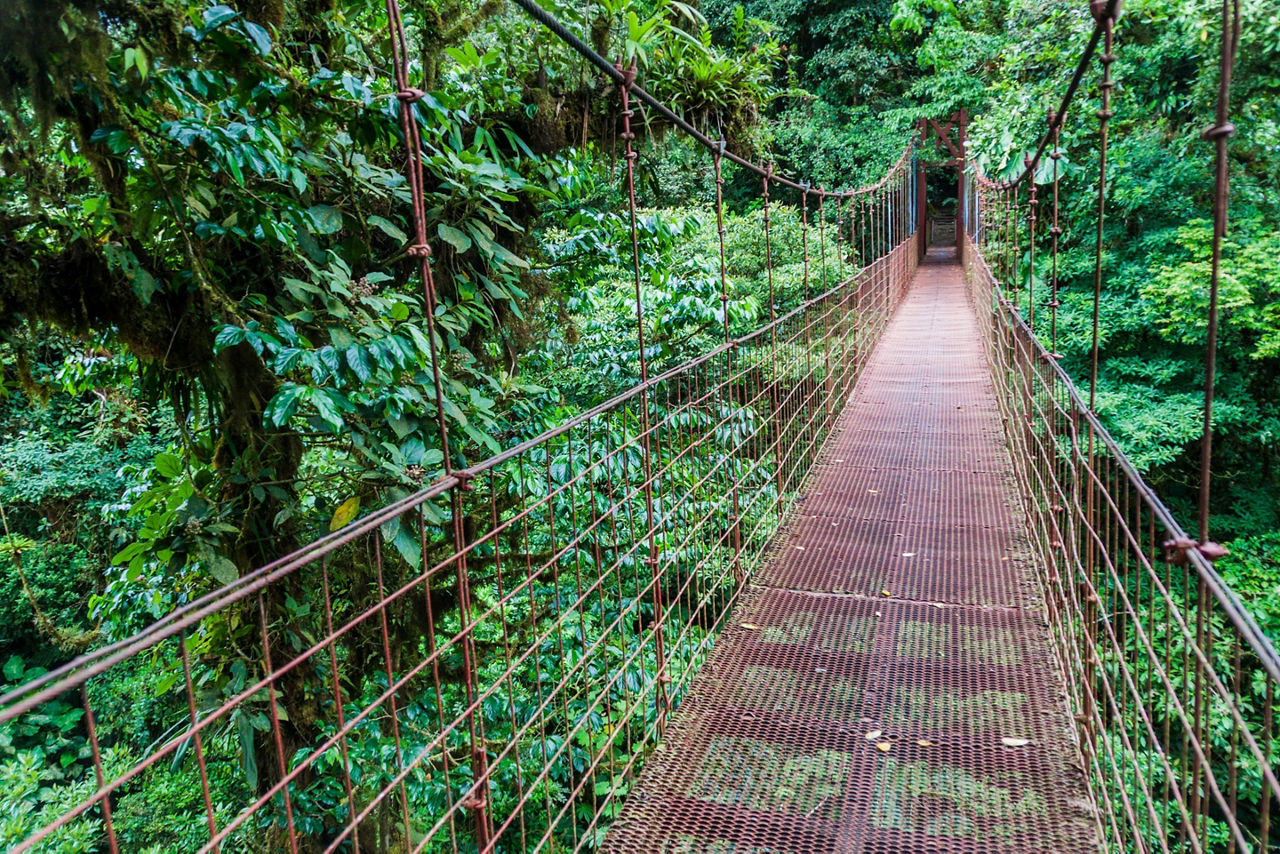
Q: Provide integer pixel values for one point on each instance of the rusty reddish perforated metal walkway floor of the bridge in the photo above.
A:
(888, 683)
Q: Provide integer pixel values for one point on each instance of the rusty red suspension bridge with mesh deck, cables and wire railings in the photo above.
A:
(872, 578)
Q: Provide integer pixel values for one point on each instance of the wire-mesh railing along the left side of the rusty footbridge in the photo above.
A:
(487, 664)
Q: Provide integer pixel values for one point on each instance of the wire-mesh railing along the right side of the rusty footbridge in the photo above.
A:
(1172, 682)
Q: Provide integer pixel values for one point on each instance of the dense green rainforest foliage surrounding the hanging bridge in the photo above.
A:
(213, 341)
